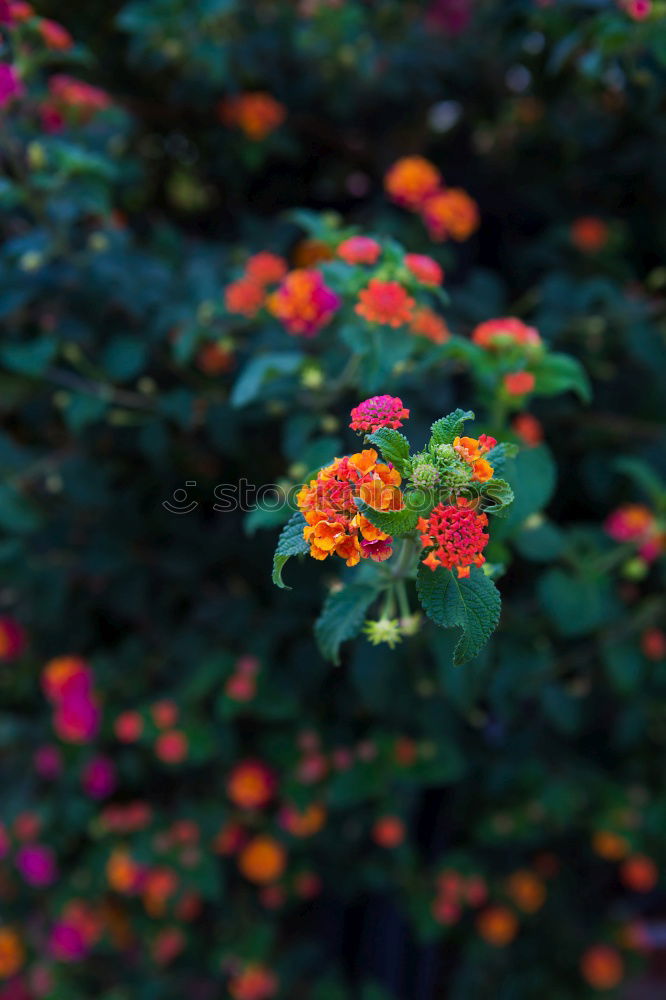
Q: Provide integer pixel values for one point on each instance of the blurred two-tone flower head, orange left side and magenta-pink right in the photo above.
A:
(303, 303)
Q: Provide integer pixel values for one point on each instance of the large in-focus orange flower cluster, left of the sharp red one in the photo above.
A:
(334, 523)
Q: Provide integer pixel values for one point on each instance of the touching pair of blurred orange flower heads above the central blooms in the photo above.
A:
(448, 213)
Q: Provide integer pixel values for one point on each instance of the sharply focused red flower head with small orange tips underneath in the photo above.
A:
(455, 537)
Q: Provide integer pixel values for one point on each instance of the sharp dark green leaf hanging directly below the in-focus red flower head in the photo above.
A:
(472, 604)
